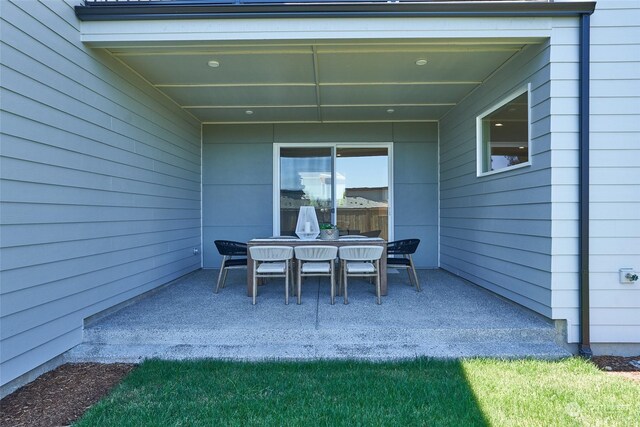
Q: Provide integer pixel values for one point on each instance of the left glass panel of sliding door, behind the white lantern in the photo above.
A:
(305, 180)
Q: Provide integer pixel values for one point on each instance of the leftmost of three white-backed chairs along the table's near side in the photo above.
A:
(271, 261)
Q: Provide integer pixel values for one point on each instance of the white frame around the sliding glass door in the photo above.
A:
(333, 145)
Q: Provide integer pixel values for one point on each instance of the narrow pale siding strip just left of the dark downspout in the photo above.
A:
(564, 158)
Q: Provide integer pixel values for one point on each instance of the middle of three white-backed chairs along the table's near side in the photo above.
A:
(316, 261)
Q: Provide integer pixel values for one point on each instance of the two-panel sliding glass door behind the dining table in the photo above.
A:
(347, 185)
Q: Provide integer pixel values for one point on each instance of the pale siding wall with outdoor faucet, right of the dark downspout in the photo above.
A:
(615, 174)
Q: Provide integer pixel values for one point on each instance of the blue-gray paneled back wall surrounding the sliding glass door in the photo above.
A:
(238, 179)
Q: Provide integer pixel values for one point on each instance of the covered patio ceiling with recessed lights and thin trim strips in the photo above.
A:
(342, 81)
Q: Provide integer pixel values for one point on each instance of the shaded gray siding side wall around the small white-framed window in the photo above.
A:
(496, 230)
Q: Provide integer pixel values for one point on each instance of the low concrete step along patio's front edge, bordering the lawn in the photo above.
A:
(125, 346)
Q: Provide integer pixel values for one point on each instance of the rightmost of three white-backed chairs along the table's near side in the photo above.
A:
(360, 261)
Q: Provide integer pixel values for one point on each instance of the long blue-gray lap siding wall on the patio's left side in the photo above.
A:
(100, 185)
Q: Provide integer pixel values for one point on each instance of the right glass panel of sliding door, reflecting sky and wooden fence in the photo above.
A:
(362, 191)
